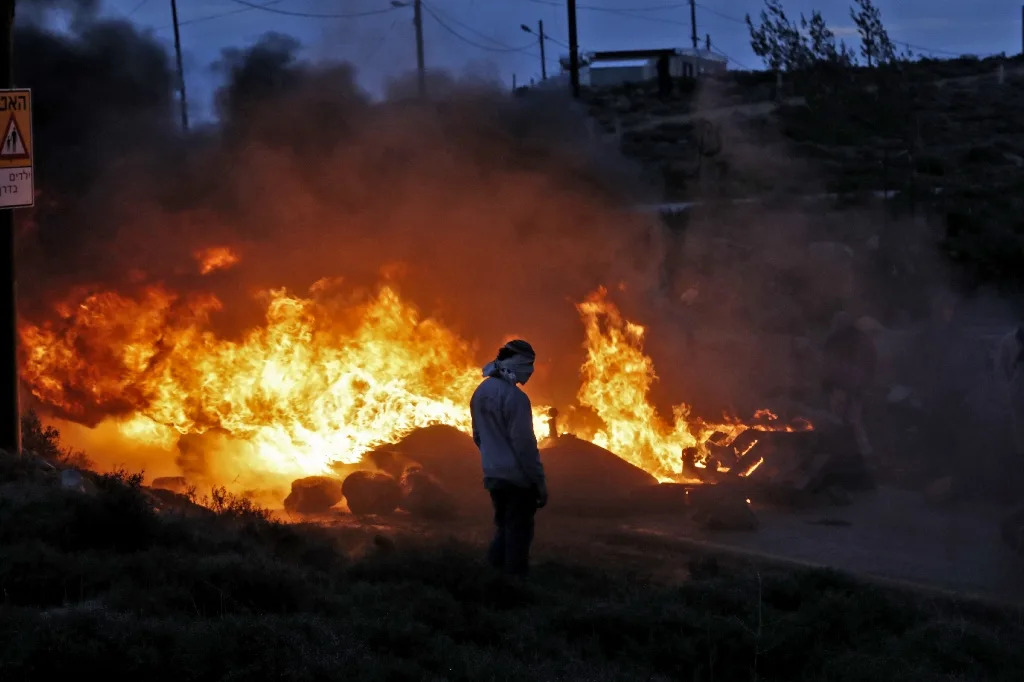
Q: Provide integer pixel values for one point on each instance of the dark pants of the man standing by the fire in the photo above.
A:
(515, 510)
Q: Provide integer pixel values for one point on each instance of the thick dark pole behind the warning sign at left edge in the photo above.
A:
(11, 423)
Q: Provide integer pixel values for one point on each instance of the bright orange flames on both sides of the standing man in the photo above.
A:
(320, 383)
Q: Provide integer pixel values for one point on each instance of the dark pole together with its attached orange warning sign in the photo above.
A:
(17, 190)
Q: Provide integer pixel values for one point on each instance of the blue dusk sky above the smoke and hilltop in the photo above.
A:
(484, 37)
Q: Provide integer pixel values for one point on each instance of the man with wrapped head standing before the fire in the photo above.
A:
(503, 430)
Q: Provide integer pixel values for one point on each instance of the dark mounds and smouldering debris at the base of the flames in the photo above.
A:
(434, 475)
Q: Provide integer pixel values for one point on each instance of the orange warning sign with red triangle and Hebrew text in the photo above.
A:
(17, 187)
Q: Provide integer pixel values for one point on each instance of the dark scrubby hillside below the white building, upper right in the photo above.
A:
(946, 140)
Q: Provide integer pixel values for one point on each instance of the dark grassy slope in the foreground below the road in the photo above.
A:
(103, 584)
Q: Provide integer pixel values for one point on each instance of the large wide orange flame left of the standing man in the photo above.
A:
(318, 386)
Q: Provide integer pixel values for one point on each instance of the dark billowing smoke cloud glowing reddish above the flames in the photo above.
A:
(493, 212)
